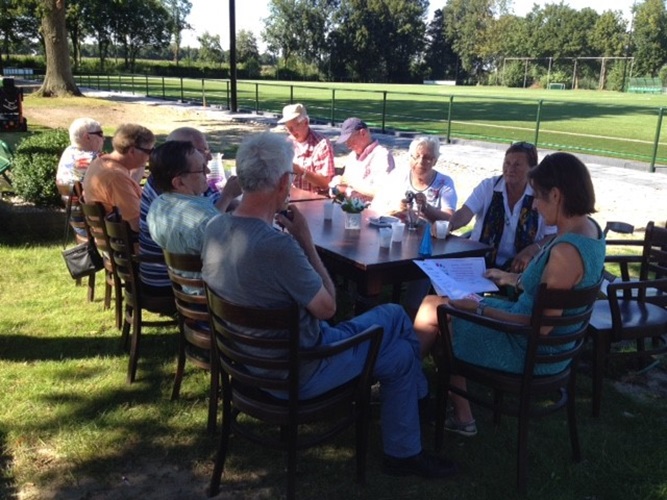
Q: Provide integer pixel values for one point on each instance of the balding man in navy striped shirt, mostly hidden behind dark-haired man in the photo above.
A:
(154, 275)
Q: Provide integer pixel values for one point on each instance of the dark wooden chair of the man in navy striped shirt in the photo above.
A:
(126, 264)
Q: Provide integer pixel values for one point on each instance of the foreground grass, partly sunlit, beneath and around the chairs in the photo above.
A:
(66, 414)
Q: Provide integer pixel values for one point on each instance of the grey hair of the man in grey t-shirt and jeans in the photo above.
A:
(262, 159)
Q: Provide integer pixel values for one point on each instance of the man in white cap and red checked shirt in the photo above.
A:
(313, 153)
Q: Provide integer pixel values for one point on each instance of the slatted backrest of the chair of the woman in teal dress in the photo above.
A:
(569, 329)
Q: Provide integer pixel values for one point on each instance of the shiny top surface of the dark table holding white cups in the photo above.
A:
(361, 248)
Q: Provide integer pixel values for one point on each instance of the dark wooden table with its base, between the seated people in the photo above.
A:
(357, 255)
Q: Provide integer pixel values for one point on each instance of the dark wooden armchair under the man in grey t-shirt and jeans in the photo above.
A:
(253, 366)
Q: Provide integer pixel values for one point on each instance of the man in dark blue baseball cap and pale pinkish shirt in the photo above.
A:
(368, 163)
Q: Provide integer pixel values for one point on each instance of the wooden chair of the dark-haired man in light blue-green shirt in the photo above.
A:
(195, 339)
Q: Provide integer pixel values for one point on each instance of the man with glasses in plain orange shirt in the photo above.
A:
(110, 178)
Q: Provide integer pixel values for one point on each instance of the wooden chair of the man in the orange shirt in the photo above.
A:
(94, 214)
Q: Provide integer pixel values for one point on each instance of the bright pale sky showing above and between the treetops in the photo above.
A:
(213, 15)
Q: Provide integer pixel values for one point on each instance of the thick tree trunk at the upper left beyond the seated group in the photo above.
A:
(58, 80)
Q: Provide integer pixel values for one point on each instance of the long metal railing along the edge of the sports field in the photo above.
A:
(481, 117)
